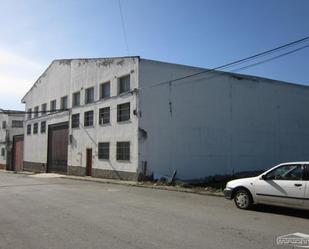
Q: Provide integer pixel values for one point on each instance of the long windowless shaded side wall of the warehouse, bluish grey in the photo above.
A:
(219, 125)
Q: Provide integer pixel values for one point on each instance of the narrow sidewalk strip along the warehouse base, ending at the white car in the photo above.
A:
(200, 191)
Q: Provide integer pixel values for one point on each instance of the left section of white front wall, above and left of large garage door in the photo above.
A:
(53, 84)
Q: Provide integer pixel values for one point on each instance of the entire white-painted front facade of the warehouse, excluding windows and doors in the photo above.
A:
(65, 77)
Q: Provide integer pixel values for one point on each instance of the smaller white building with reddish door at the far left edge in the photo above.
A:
(11, 139)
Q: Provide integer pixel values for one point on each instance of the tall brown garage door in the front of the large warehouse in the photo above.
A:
(58, 148)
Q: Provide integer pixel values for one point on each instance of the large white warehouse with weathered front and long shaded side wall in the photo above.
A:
(127, 117)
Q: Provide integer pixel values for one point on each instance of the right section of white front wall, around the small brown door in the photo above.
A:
(91, 74)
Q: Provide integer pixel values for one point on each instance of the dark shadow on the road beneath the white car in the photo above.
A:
(281, 211)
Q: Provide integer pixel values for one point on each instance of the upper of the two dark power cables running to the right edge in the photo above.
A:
(237, 62)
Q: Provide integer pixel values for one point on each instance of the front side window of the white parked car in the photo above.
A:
(286, 172)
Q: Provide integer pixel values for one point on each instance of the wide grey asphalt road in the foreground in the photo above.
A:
(37, 213)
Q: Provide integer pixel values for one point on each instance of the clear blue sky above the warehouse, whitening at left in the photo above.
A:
(204, 33)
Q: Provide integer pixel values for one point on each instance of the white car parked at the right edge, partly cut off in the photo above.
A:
(286, 184)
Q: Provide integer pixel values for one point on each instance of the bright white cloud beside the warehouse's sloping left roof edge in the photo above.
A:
(17, 74)
